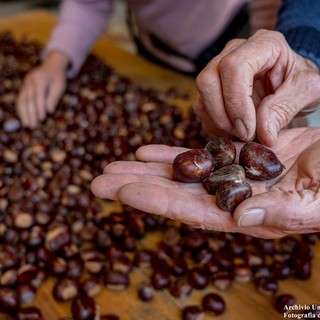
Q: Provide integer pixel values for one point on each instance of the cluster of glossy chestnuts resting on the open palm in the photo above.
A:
(214, 167)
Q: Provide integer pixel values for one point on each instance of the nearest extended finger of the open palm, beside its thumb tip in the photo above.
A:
(175, 204)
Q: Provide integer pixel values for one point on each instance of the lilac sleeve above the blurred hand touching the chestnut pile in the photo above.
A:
(80, 24)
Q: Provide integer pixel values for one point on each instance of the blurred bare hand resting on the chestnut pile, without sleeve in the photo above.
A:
(41, 90)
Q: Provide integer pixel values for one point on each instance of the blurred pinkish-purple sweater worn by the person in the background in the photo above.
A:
(188, 26)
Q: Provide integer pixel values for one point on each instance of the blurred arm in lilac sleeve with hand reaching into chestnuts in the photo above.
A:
(80, 24)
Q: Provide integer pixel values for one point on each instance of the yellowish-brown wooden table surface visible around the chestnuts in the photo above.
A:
(243, 302)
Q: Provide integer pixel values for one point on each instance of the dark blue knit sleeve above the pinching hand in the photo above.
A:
(299, 22)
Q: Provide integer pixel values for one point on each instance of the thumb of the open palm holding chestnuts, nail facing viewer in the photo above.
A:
(288, 211)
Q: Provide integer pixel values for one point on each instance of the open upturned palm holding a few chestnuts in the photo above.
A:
(286, 206)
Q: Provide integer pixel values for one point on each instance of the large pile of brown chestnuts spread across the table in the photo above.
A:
(51, 226)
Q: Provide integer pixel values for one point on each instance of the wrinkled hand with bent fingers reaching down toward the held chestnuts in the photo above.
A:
(255, 87)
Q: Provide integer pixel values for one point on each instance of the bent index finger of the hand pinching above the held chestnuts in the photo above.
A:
(238, 70)
